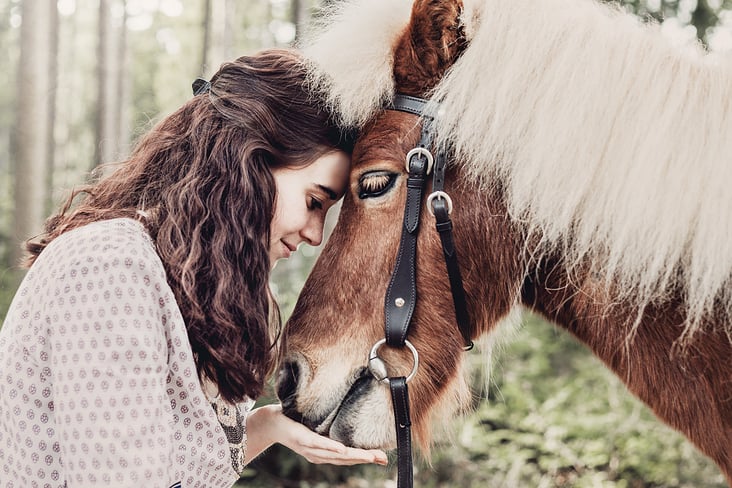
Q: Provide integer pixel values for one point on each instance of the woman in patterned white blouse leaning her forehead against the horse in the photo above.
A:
(143, 328)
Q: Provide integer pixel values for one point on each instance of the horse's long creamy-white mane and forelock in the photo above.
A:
(612, 144)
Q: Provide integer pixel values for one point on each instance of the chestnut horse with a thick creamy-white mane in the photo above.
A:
(590, 160)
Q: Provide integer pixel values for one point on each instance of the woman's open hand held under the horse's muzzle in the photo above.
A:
(268, 425)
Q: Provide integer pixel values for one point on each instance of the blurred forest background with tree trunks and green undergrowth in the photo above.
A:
(84, 78)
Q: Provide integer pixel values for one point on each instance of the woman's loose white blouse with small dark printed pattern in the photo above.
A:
(98, 385)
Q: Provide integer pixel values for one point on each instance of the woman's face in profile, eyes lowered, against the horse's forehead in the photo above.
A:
(304, 196)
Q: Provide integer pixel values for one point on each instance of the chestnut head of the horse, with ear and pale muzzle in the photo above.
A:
(324, 381)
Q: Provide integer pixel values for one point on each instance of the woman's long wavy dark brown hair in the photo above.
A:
(203, 175)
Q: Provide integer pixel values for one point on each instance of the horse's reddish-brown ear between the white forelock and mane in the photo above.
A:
(431, 43)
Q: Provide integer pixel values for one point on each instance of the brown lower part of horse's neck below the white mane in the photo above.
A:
(688, 388)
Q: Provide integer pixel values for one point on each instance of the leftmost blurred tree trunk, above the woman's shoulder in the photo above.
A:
(32, 122)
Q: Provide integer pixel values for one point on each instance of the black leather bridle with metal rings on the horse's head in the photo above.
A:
(401, 295)
